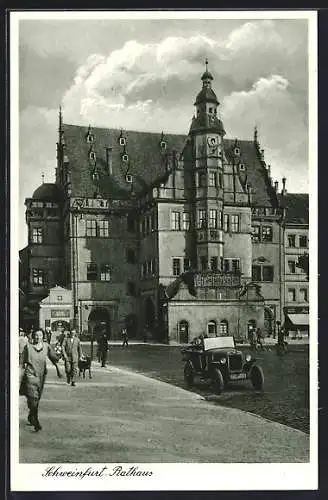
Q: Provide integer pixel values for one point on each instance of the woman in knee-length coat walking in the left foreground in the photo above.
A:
(34, 369)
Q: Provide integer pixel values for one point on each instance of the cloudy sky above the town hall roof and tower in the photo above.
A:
(145, 75)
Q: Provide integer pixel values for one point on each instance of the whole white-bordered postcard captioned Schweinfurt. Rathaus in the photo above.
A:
(163, 211)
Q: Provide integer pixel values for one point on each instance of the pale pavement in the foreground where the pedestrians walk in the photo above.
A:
(121, 416)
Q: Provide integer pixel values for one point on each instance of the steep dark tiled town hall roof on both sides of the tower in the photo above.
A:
(147, 164)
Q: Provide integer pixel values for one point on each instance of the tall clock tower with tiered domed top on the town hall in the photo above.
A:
(206, 137)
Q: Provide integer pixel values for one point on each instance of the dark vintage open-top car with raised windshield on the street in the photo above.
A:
(218, 360)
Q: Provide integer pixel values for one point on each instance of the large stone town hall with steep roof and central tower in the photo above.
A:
(167, 235)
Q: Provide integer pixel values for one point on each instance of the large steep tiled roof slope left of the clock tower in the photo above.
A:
(146, 162)
